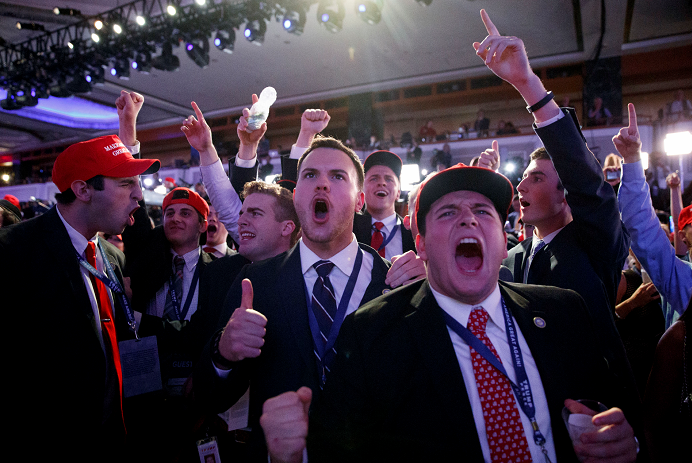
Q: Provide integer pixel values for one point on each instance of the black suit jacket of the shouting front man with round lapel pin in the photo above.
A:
(396, 391)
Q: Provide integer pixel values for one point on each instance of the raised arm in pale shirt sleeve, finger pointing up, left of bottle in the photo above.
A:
(221, 193)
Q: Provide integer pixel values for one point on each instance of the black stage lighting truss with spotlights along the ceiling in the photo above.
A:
(138, 28)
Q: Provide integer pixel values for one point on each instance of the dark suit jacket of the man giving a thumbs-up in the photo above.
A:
(287, 360)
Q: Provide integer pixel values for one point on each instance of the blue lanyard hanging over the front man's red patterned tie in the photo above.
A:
(522, 390)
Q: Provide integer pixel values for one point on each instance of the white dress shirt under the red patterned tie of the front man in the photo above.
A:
(498, 336)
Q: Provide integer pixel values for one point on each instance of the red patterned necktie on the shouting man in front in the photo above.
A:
(504, 430)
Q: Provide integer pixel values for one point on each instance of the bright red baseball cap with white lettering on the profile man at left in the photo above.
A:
(105, 156)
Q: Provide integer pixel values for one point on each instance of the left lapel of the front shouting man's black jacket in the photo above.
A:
(428, 329)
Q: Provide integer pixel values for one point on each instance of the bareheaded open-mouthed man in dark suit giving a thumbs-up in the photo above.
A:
(267, 341)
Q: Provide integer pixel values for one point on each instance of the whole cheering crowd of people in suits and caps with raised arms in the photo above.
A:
(353, 332)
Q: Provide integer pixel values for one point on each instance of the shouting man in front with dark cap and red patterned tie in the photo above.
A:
(411, 375)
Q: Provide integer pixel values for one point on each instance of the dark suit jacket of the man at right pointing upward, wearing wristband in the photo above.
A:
(587, 255)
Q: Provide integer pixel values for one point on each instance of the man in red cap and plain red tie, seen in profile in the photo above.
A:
(65, 380)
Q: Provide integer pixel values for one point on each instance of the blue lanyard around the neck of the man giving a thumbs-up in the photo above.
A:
(325, 352)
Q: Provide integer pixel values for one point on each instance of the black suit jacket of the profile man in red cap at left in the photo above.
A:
(57, 369)
